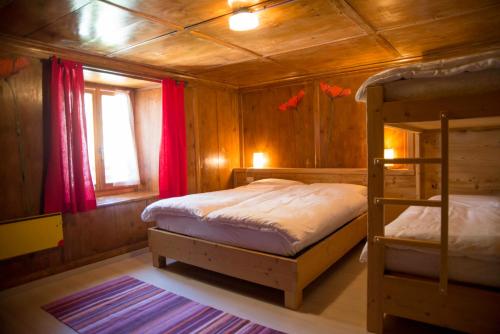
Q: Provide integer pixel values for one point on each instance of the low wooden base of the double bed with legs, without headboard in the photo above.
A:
(290, 274)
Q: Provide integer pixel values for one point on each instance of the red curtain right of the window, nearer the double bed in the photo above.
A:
(173, 156)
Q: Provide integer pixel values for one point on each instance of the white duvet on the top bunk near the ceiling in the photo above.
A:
(433, 69)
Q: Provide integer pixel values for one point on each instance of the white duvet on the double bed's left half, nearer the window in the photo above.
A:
(199, 205)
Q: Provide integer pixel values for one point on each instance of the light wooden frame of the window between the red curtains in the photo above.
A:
(102, 188)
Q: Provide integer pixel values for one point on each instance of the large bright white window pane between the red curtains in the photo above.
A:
(120, 157)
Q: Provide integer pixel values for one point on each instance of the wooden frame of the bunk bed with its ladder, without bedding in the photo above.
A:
(458, 306)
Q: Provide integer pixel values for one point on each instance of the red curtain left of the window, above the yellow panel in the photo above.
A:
(68, 183)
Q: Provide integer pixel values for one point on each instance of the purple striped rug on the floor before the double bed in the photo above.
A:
(128, 305)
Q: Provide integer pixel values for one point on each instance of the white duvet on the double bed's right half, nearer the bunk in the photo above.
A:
(302, 214)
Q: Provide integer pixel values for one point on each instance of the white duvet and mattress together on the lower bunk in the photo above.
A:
(474, 240)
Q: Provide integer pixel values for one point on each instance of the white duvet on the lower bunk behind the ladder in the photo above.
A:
(474, 227)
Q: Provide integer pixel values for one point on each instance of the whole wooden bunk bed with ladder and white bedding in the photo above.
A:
(419, 275)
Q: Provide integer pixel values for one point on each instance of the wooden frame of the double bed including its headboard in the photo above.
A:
(290, 274)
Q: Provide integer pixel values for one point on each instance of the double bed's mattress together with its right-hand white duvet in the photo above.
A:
(282, 222)
